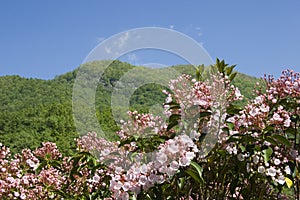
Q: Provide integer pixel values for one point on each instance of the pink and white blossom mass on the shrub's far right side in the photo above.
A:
(269, 108)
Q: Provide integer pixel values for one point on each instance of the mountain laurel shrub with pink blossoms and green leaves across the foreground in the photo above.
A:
(208, 148)
